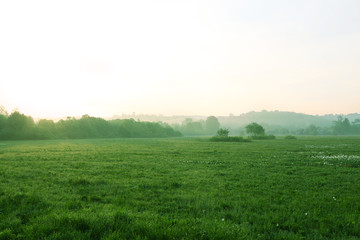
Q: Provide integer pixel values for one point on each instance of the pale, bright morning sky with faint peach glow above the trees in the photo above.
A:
(206, 57)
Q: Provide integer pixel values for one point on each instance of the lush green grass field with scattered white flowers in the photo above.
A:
(305, 188)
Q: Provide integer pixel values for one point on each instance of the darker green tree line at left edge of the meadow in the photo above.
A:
(17, 126)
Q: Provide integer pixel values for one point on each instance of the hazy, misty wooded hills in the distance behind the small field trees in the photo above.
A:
(274, 122)
